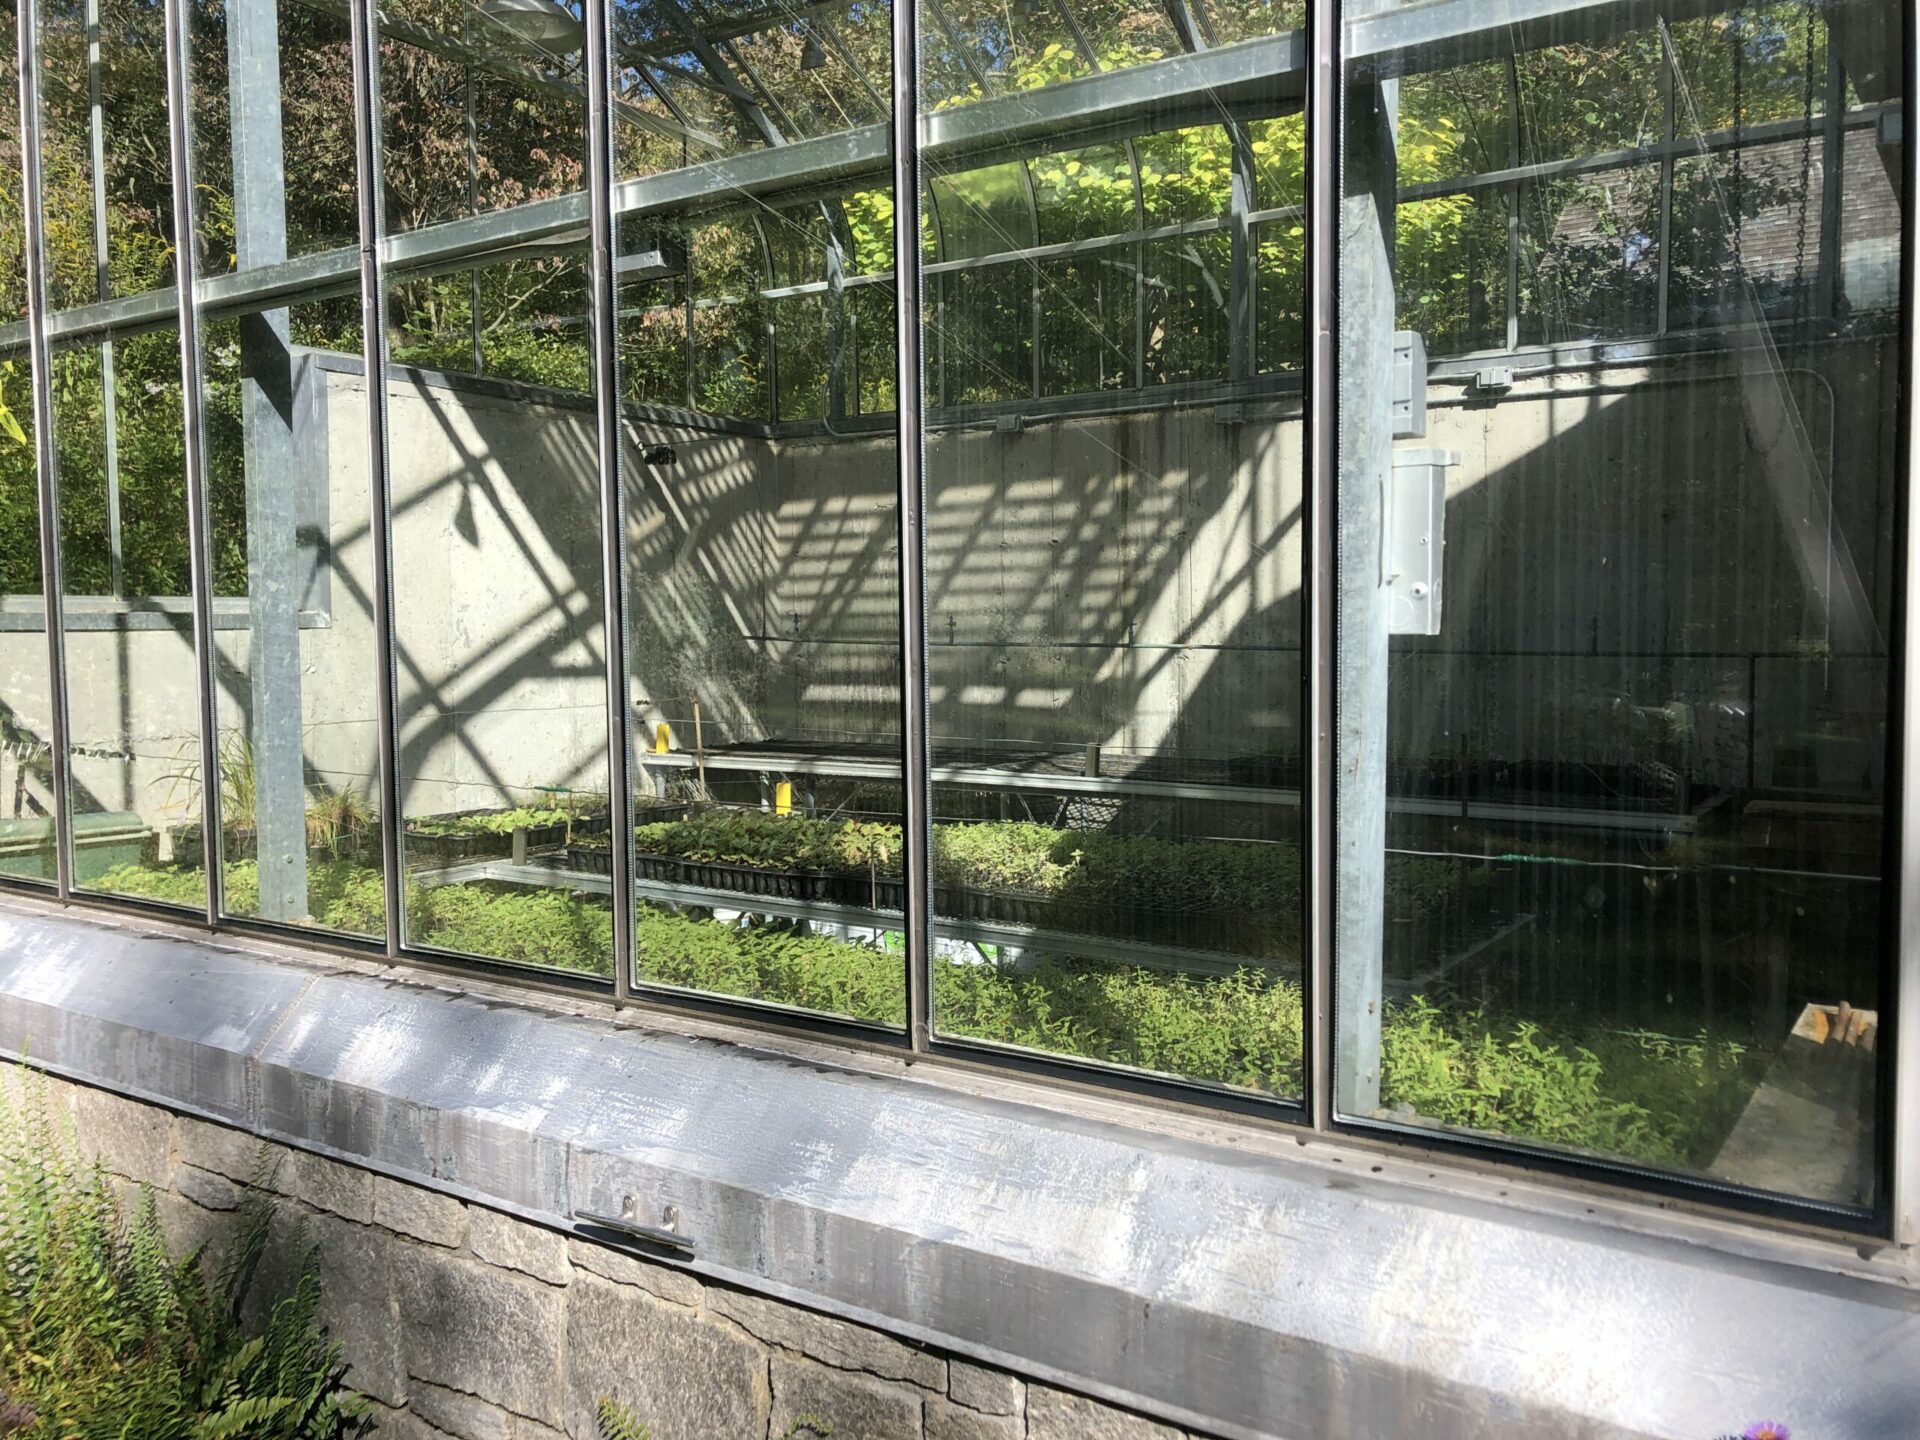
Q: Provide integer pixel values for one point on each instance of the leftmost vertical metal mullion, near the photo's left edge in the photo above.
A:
(39, 364)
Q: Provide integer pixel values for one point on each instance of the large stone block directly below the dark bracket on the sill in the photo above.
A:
(686, 1376)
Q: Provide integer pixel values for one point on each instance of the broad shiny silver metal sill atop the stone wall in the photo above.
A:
(1230, 1278)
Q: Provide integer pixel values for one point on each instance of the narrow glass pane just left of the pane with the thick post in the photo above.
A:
(120, 437)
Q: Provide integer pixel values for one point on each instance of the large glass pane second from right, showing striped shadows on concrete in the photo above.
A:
(1115, 617)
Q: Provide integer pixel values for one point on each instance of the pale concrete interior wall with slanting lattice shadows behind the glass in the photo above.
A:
(1130, 581)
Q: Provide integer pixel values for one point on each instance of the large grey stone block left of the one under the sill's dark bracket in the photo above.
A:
(479, 1330)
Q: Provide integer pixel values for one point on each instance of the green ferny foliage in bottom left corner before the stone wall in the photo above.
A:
(105, 1335)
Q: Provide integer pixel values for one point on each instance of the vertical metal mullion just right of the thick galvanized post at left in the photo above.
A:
(372, 220)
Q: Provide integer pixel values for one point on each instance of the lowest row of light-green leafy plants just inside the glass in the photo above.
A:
(1643, 1097)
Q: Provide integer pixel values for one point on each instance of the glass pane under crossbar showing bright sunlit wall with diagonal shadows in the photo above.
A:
(496, 612)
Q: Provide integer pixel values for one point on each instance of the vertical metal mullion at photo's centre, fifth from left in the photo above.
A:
(915, 777)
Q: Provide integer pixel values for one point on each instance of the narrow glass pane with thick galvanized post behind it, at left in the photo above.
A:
(283, 402)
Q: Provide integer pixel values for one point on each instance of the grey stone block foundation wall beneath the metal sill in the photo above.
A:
(469, 1324)
